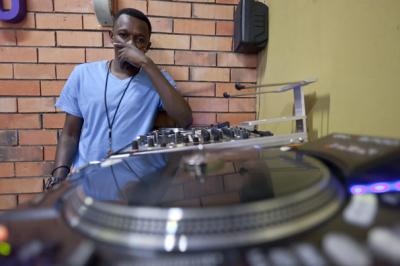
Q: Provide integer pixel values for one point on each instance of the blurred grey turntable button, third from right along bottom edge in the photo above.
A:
(309, 255)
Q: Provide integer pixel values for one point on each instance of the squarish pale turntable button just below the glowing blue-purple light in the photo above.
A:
(361, 210)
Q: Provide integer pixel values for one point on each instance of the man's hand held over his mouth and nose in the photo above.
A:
(130, 54)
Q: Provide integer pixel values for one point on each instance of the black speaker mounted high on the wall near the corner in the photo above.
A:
(251, 27)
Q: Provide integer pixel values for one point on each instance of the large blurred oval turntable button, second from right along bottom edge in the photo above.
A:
(345, 251)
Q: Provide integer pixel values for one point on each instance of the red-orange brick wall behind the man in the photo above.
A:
(191, 39)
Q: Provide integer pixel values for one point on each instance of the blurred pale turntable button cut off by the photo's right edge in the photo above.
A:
(385, 243)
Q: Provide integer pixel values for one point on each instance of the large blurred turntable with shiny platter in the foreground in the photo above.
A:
(332, 202)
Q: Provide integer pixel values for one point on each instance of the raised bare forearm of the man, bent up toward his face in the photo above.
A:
(174, 103)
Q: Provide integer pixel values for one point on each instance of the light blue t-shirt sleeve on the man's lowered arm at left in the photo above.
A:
(68, 100)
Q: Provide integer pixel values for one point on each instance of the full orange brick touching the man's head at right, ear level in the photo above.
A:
(169, 41)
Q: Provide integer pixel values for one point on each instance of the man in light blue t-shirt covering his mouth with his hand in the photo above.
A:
(109, 103)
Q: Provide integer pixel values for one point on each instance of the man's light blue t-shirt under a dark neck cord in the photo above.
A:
(83, 96)
